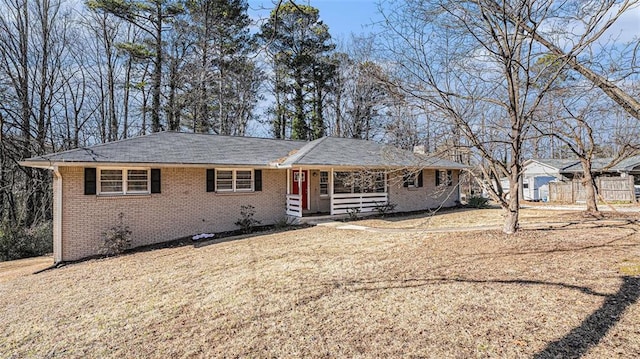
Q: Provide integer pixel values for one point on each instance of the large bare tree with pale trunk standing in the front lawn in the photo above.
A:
(475, 62)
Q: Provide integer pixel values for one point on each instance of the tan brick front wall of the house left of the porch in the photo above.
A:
(184, 208)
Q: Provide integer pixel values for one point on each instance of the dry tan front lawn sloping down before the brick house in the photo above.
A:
(326, 292)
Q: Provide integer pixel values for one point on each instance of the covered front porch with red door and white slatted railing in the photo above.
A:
(317, 191)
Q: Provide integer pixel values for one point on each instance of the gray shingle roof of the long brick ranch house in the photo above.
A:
(174, 148)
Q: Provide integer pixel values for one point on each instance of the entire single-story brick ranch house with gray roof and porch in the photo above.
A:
(171, 185)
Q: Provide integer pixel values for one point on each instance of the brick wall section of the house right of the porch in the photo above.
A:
(409, 199)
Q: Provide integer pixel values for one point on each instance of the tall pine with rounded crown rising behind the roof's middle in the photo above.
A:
(299, 44)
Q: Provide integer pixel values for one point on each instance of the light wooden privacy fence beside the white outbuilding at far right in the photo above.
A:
(611, 189)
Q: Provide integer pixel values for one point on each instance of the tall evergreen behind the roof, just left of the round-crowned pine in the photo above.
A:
(224, 78)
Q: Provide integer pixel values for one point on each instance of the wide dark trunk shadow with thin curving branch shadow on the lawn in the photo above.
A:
(575, 343)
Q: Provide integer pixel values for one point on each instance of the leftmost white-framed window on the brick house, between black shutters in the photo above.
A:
(124, 181)
